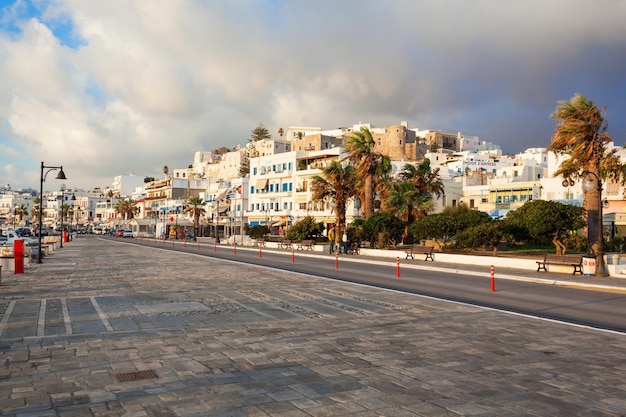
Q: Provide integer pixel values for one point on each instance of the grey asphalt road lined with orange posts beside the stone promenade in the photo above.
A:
(596, 309)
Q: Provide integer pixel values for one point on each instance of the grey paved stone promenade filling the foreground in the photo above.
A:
(105, 328)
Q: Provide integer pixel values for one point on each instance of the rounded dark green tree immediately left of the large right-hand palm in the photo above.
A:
(547, 221)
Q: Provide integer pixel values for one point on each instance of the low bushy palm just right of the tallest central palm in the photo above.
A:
(409, 203)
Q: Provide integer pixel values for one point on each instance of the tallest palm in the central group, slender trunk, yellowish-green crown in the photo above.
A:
(360, 148)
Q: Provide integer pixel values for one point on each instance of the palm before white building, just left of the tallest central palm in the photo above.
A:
(335, 185)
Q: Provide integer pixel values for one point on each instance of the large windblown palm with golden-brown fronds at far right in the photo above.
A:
(581, 134)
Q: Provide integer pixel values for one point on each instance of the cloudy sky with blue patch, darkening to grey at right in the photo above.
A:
(113, 87)
